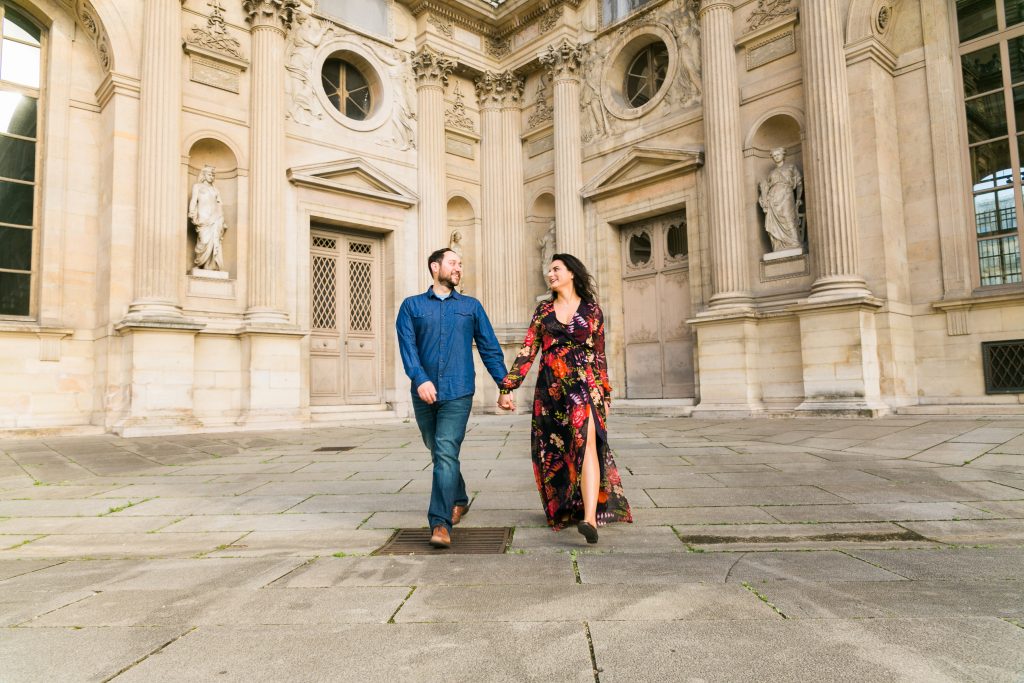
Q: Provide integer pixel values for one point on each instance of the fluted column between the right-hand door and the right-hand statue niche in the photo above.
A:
(723, 166)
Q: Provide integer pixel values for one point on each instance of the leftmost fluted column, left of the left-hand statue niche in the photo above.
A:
(159, 231)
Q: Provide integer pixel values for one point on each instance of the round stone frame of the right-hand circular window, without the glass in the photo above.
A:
(622, 56)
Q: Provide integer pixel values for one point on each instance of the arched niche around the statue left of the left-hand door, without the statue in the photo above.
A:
(211, 152)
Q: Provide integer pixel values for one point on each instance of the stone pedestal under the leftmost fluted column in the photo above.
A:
(160, 360)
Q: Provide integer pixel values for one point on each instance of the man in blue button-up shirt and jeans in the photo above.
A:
(437, 330)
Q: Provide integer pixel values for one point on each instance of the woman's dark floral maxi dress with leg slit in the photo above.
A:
(573, 387)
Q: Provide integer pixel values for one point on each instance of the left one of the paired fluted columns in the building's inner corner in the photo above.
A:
(490, 95)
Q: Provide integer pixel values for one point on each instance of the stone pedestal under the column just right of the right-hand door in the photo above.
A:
(728, 365)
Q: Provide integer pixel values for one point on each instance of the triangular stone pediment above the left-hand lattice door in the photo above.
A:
(353, 177)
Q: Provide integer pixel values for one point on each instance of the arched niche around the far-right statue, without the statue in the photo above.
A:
(781, 130)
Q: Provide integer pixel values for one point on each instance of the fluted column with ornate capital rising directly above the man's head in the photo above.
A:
(432, 70)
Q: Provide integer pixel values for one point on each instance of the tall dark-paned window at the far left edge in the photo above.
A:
(20, 66)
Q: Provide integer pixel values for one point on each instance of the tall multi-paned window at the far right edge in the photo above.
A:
(992, 36)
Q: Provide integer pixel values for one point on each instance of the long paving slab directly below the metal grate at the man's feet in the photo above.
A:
(434, 571)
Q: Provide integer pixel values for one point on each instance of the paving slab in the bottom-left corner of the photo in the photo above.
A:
(57, 656)
